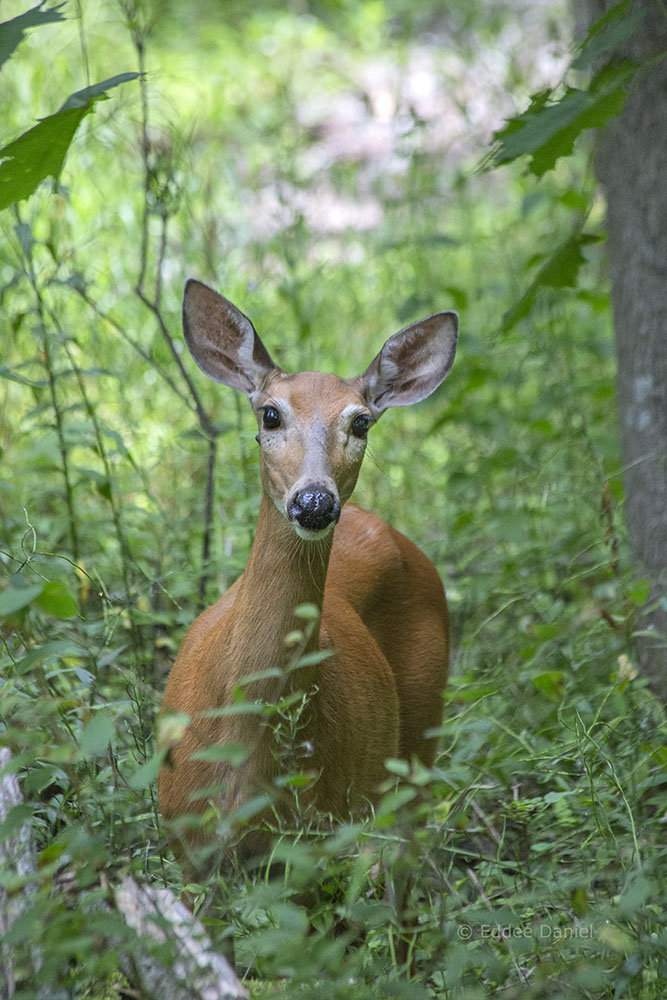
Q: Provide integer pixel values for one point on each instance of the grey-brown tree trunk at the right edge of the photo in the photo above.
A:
(631, 165)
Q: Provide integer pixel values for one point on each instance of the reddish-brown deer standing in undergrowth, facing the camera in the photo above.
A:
(382, 604)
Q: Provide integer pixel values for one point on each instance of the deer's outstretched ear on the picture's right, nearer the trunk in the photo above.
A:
(412, 363)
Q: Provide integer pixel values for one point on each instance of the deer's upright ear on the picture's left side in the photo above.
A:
(223, 341)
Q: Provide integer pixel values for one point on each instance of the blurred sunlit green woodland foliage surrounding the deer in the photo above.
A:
(319, 164)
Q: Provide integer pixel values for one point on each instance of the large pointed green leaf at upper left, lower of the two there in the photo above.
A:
(40, 152)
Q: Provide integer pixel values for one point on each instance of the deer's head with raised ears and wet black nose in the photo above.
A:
(313, 426)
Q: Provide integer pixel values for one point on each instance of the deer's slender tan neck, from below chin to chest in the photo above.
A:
(283, 572)
